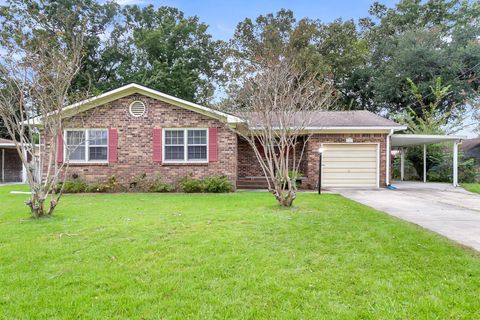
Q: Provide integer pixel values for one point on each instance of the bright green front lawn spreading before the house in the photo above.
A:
(235, 256)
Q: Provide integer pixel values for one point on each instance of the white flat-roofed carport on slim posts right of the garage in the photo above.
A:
(401, 141)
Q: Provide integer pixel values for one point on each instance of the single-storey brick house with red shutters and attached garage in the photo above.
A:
(134, 130)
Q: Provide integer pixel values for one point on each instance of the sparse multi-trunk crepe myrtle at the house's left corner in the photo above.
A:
(35, 78)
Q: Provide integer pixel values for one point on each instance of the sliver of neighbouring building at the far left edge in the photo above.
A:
(11, 168)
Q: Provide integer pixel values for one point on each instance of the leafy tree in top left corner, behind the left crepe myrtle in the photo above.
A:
(93, 18)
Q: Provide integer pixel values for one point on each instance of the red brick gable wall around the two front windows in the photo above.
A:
(135, 142)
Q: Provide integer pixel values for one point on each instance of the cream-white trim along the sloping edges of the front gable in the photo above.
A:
(136, 88)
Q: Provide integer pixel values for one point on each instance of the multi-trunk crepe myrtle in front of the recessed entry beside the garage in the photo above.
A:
(277, 101)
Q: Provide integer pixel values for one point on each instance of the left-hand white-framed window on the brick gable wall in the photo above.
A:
(87, 145)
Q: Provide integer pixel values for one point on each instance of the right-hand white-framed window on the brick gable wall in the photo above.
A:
(185, 145)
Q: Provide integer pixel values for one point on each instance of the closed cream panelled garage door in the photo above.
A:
(350, 165)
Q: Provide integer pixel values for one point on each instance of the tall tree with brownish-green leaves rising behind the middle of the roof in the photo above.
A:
(263, 41)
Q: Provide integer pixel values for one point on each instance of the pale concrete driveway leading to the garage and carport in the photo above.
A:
(451, 212)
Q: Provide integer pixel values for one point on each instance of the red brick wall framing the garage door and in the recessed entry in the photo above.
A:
(249, 166)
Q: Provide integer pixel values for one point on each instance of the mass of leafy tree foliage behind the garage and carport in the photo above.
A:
(418, 40)
